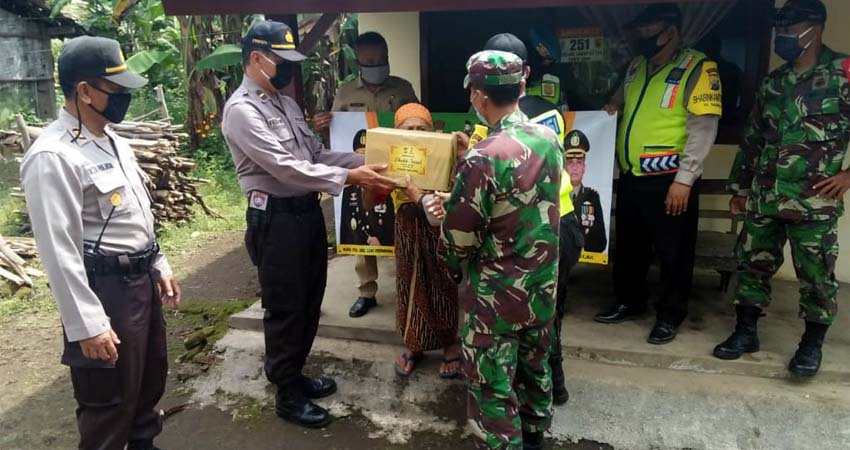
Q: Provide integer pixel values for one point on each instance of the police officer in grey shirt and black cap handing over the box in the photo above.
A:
(282, 168)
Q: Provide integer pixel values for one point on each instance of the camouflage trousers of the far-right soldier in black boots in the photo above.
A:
(814, 250)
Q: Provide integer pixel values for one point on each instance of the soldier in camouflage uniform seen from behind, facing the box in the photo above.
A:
(501, 229)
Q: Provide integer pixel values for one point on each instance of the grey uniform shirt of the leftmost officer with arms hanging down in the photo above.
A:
(70, 188)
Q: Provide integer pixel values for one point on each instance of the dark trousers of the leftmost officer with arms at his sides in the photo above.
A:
(116, 404)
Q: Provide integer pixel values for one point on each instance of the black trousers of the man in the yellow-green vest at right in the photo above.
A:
(645, 231)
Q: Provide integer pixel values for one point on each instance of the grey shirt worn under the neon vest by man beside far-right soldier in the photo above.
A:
(702, 132)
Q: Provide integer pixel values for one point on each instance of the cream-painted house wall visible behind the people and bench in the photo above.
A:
(402, 33)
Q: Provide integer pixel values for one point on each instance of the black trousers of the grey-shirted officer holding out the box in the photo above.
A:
(289, 246)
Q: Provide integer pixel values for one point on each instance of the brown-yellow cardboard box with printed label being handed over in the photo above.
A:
(429, 158)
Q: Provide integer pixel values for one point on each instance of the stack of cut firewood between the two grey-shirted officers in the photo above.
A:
(173, 190)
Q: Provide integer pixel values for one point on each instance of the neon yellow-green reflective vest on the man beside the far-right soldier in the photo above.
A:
(652, 132)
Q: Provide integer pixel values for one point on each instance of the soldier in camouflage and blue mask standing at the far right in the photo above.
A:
(788, 178)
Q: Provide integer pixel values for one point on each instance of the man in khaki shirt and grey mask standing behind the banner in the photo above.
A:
(374, 91)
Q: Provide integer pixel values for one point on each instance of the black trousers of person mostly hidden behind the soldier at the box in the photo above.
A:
(570, 247)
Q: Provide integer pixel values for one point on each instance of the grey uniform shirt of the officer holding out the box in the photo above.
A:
(274, 149)
